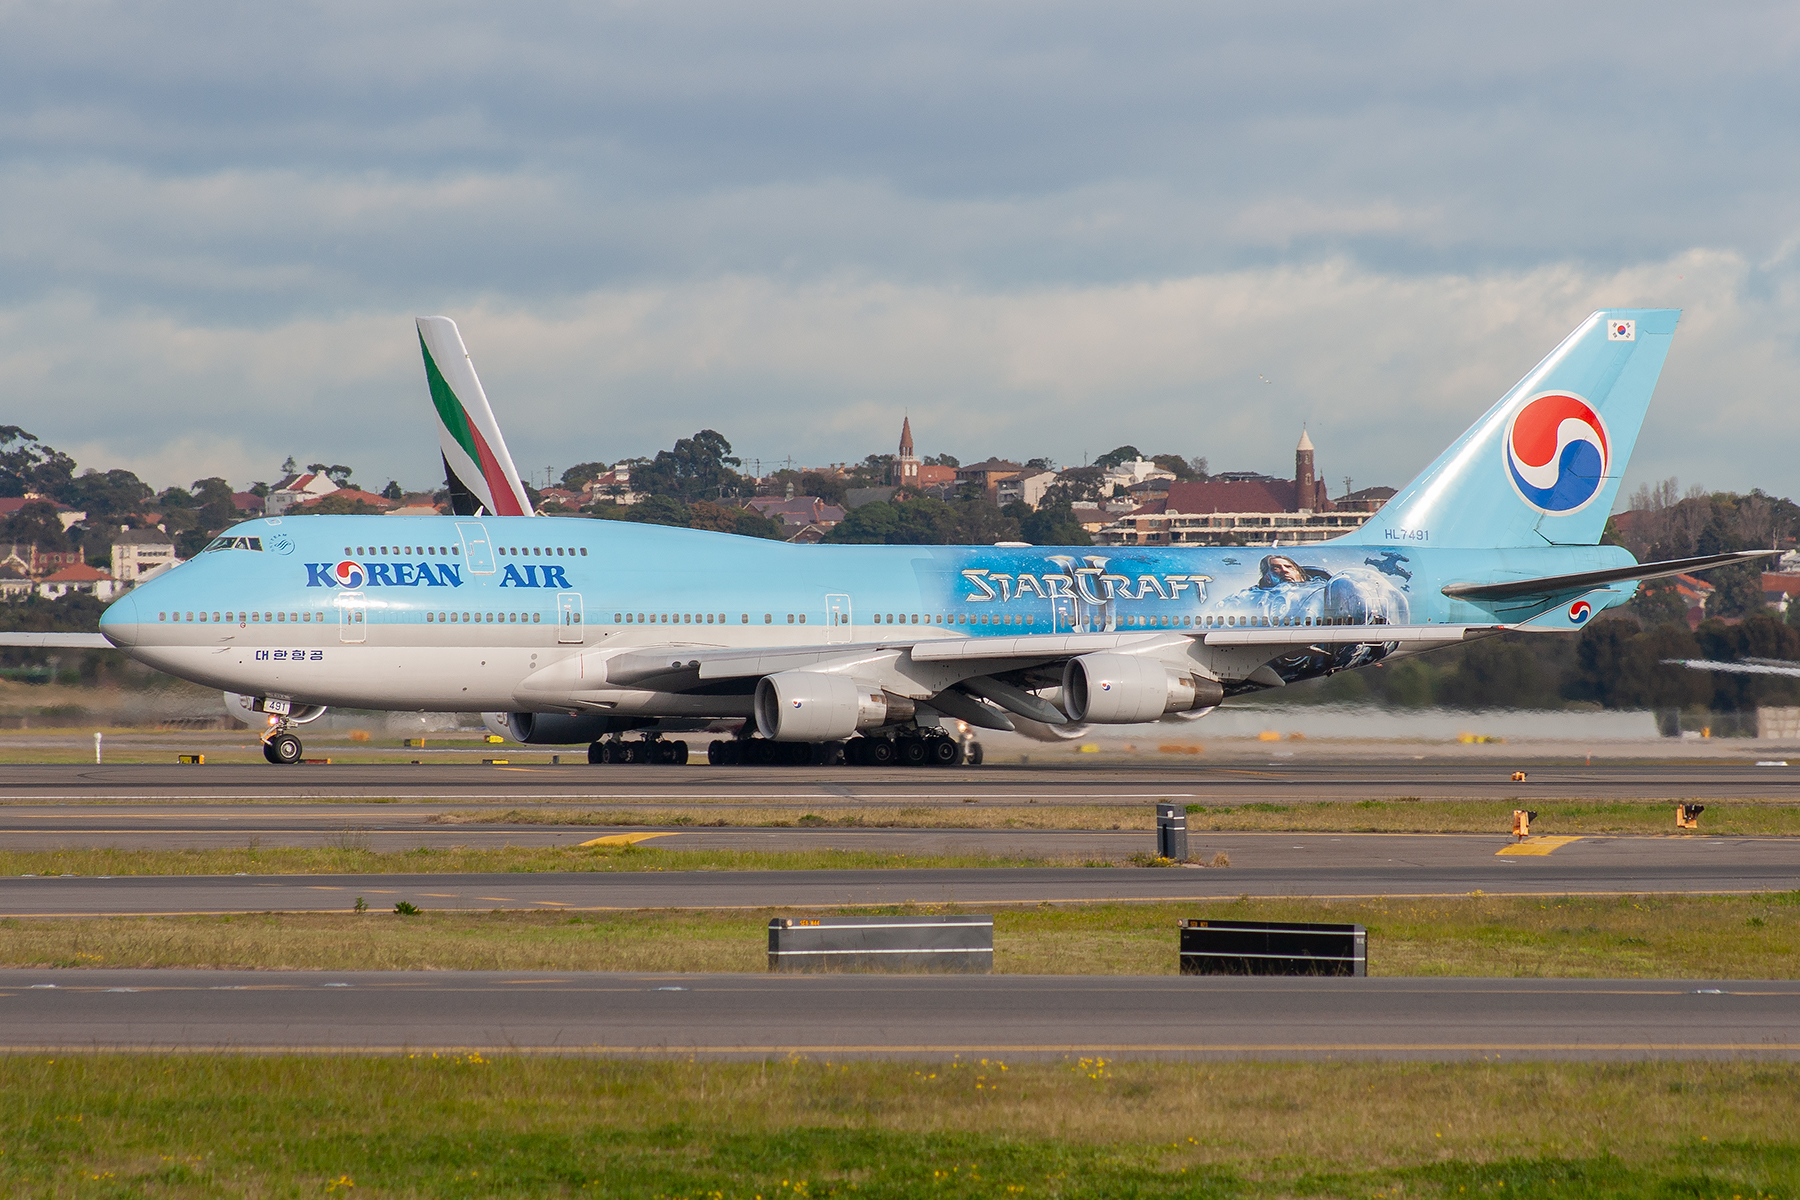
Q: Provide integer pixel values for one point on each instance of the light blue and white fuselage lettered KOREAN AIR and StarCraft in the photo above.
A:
(453, 614)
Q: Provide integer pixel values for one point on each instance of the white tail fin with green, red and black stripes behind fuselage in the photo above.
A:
(478, 467)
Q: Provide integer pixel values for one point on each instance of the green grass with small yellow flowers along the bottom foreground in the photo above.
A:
(463, 1125)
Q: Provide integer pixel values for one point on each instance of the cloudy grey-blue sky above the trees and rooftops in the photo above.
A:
(1038, 229)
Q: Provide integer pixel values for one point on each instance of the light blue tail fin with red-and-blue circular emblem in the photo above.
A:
(1545, 463)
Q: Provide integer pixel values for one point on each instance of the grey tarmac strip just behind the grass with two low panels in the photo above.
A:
(1326, 866)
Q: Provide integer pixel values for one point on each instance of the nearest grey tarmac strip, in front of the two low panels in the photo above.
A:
(836, 1017)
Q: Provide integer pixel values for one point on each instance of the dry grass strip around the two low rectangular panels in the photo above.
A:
(1599, 938)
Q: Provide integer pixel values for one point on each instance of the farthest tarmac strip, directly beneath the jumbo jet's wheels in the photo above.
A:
(534, 780)
